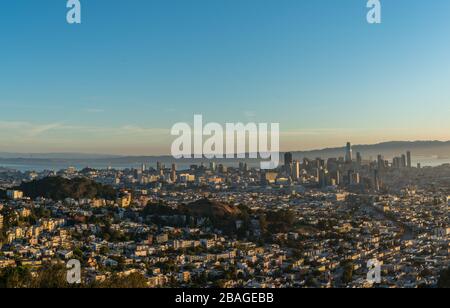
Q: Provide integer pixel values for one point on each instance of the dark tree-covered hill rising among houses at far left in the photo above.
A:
(58, 188)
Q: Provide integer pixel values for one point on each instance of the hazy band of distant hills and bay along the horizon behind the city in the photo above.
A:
(436, 149)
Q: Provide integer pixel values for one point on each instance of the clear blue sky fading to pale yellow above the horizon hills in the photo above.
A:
(120, 80)
